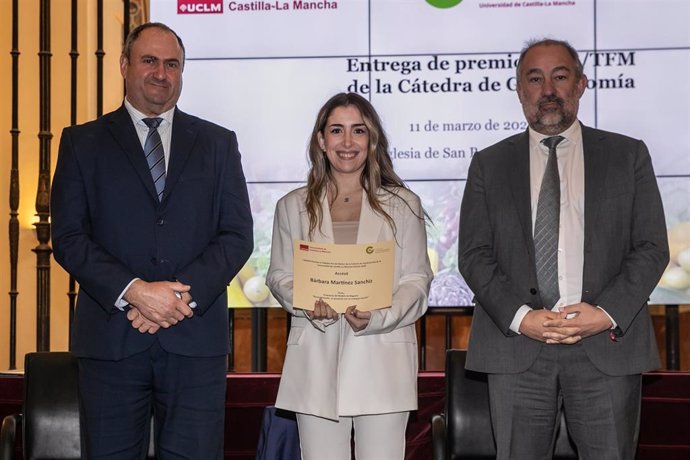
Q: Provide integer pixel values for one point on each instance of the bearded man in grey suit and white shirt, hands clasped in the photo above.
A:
(562, 326)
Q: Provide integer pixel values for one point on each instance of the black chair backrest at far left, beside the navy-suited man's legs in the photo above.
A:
(51, 407)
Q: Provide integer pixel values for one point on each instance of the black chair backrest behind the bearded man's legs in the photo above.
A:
(468, 422)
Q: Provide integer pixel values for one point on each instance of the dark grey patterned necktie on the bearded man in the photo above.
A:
(546, 227)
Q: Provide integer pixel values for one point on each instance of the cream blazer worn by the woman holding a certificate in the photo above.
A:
(332, 371)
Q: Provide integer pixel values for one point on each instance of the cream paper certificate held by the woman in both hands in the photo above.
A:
(343, 275)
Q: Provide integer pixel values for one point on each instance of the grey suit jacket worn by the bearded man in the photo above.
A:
(626, 251)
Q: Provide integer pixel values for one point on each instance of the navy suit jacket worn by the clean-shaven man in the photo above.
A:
(109, 227)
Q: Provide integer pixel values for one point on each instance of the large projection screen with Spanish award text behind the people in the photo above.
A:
(441, 73)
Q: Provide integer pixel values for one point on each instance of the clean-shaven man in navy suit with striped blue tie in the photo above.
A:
(153, 245)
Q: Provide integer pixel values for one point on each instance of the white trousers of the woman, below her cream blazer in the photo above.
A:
(376, 437)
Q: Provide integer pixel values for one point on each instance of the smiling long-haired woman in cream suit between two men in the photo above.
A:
(358, 368)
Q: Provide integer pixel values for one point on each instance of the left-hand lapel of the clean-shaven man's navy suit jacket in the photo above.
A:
(122, 129)
